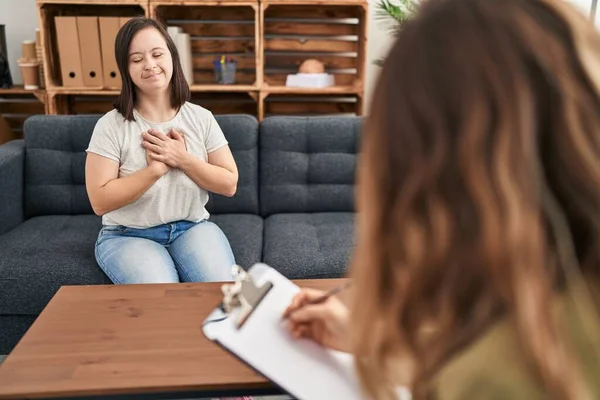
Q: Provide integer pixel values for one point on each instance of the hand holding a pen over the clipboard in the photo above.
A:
(326, 323)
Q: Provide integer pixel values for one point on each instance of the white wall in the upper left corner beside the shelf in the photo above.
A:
(20, 20)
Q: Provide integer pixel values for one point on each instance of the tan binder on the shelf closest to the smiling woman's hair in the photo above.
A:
(109, 27)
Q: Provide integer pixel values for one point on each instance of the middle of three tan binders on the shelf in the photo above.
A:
(89, 48)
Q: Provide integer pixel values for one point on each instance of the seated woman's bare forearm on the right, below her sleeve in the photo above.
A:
(210, 177)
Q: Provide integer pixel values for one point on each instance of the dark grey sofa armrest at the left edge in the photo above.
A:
(12, 165)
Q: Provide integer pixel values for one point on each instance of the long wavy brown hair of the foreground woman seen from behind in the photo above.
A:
(478, 188)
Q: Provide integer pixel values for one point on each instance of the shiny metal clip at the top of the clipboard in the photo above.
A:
(244, 294)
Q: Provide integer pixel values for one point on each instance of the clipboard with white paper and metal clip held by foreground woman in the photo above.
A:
(248, 324)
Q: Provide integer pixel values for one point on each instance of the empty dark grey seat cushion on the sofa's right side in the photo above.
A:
(305, 246)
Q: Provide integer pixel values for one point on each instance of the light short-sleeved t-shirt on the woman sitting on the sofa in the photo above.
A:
(174, 196)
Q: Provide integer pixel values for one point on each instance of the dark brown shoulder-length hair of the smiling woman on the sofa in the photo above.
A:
(125, 103)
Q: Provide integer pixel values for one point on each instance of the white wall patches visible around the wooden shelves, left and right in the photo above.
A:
(20, 18)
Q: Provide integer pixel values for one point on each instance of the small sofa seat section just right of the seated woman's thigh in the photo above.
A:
(245, 235)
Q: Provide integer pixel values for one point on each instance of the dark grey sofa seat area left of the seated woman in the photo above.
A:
(41, 255)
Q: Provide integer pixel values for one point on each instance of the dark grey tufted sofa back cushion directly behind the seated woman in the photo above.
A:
(55, 164)
